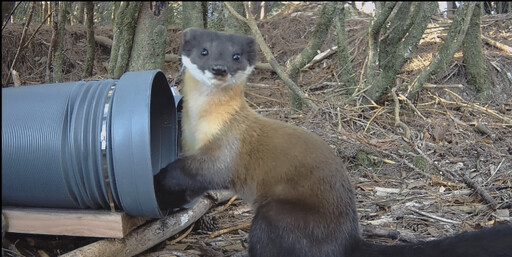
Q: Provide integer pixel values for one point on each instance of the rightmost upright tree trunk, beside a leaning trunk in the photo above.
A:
(474, 58)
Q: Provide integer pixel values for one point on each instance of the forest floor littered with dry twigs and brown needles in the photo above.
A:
(412, 186)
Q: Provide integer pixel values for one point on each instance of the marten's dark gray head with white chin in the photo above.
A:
(216, 58)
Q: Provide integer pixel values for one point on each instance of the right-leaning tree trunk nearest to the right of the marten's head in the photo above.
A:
(295, 64)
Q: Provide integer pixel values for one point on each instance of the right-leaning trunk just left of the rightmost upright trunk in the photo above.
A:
(452, 43)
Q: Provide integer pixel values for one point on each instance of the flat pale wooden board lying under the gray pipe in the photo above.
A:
(92, 223)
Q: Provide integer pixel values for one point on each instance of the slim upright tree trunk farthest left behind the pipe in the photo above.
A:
(61, 30)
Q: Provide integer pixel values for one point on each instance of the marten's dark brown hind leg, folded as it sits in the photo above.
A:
(285, 228)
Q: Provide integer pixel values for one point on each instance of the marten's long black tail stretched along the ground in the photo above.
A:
(493, 242)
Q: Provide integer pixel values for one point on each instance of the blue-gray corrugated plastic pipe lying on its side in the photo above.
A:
(94, 144)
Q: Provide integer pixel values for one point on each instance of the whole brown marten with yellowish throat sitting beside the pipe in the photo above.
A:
(303, 199)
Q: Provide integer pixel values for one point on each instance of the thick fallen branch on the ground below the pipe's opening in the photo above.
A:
(150, 235)
